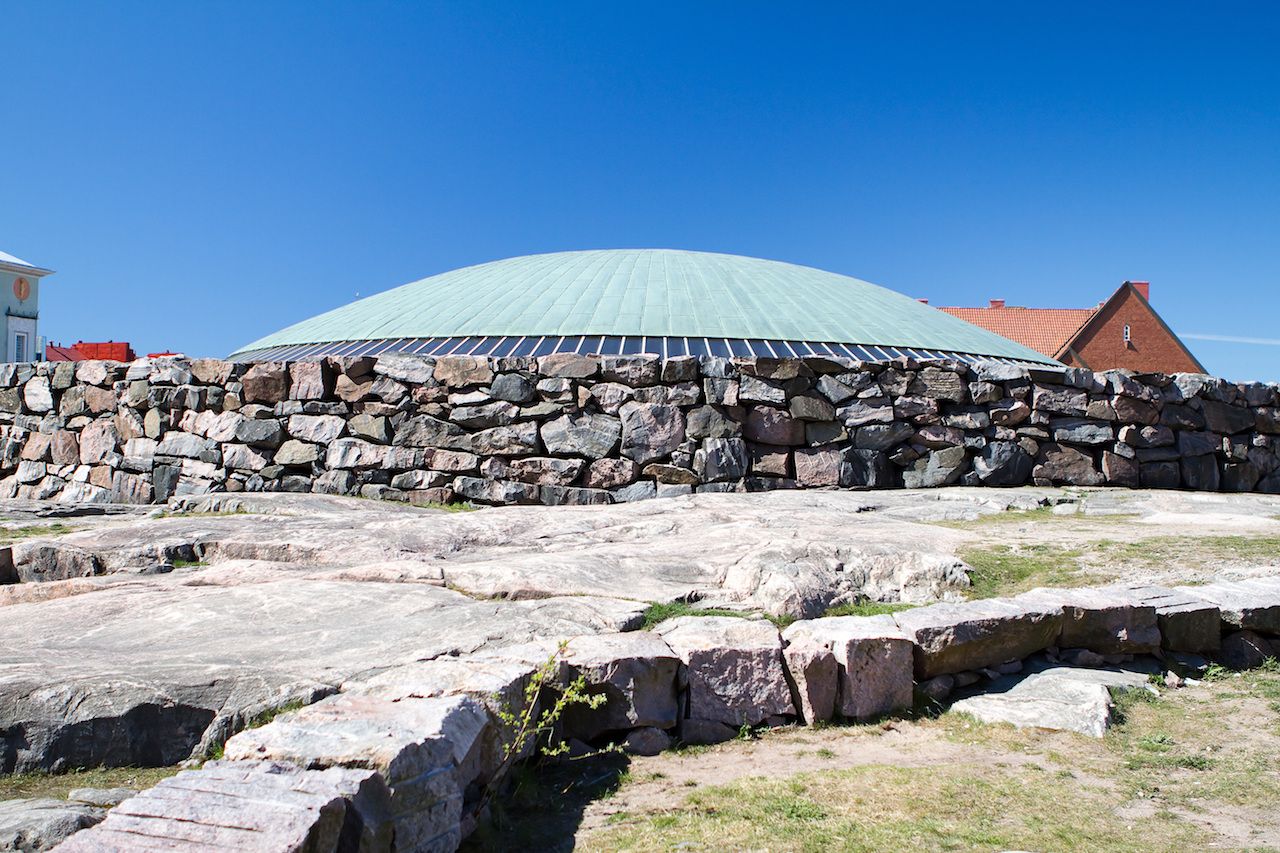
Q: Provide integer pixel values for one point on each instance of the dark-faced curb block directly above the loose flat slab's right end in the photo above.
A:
(1109, 621)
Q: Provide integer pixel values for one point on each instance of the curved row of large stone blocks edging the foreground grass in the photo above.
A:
(401, 759)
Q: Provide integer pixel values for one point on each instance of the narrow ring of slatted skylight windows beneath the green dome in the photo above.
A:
(609, 345)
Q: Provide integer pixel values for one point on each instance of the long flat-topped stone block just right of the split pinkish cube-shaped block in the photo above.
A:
(954, 638)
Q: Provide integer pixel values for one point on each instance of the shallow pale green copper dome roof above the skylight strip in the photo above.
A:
(591, 298)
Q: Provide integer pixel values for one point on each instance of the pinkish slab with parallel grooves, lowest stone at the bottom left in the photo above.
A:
(248, 806)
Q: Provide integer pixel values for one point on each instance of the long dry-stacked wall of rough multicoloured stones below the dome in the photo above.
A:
(577, 430)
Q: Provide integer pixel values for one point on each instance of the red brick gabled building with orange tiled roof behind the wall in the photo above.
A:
(1122, 332)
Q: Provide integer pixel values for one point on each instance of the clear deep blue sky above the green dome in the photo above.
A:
(204, 174)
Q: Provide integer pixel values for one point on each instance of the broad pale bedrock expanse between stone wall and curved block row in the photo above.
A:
(148, 637)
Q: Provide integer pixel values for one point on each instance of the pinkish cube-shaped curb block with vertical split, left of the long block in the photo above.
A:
(874, 664)
